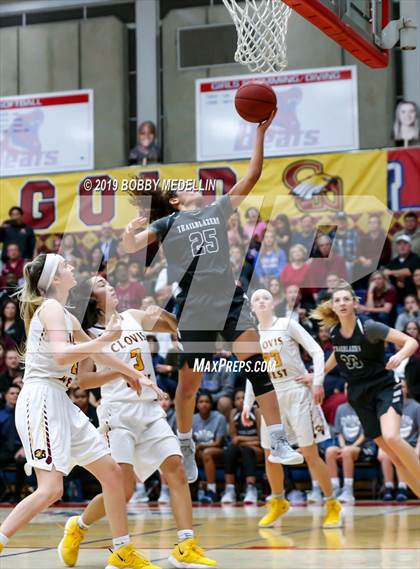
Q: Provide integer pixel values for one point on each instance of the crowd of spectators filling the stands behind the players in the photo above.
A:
(278, 255)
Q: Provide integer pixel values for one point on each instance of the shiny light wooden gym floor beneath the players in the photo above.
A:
(376, 535)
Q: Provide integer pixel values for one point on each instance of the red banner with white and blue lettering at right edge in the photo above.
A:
(404, 178)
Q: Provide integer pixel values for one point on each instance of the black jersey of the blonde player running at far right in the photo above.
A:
(362, 356)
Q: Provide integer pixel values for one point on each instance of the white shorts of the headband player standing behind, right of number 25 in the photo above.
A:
(303, 421)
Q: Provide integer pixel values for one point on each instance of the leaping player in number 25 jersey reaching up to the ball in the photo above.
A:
(194, 239)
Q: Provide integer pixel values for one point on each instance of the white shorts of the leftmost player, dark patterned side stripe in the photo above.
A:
(54, 432)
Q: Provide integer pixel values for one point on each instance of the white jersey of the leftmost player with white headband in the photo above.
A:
(40, 364)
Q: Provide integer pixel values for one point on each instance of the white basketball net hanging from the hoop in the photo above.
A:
(262, 29)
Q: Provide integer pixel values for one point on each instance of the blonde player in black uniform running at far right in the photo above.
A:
(372, 390)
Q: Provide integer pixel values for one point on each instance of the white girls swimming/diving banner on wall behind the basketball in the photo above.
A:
(317, 112)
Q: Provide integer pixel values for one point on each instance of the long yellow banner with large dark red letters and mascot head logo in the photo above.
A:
(319, 185)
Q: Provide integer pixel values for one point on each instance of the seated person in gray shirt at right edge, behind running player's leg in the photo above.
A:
(410, 431)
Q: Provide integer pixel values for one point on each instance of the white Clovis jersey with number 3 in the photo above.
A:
(133, 349)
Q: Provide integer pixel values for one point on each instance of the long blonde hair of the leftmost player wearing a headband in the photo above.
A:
(29, 294)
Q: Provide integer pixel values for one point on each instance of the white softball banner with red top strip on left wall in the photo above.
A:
(47, 132)
